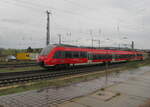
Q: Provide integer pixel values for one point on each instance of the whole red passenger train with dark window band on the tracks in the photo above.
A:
(65, 55)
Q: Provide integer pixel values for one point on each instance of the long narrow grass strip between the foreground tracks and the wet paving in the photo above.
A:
(67, 80)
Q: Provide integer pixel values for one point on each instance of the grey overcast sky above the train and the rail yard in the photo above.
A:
(114, 22)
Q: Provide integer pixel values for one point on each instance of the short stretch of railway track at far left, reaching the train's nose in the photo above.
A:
(17, 65)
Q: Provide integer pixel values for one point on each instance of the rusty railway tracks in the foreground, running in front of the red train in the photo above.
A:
(7, 79)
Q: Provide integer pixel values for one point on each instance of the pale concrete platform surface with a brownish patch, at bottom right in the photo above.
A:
(134, 92)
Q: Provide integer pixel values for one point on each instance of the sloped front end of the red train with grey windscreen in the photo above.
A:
(44, 56)
